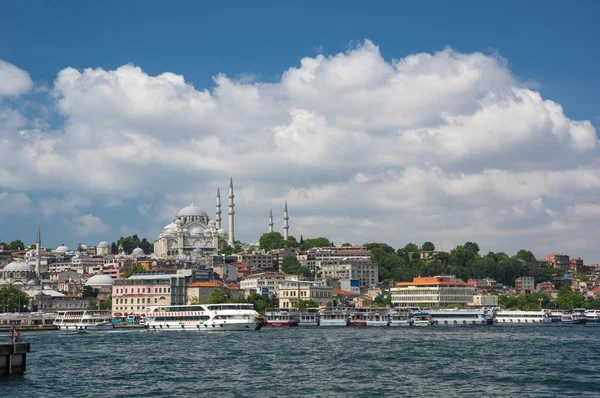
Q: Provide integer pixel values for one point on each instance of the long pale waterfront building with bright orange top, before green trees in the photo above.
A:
(432, 292)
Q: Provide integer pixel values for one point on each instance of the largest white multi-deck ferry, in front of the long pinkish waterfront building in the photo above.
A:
(208, 317)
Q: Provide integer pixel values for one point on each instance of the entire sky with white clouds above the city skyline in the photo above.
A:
(392, 122)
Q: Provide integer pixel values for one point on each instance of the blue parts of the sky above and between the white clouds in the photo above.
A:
(550, 47)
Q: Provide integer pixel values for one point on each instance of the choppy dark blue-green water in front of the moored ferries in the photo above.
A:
(553, 360)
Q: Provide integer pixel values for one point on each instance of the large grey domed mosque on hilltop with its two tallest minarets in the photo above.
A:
(192, 229)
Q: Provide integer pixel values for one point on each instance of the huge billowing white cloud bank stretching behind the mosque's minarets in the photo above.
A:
(445, 147)
